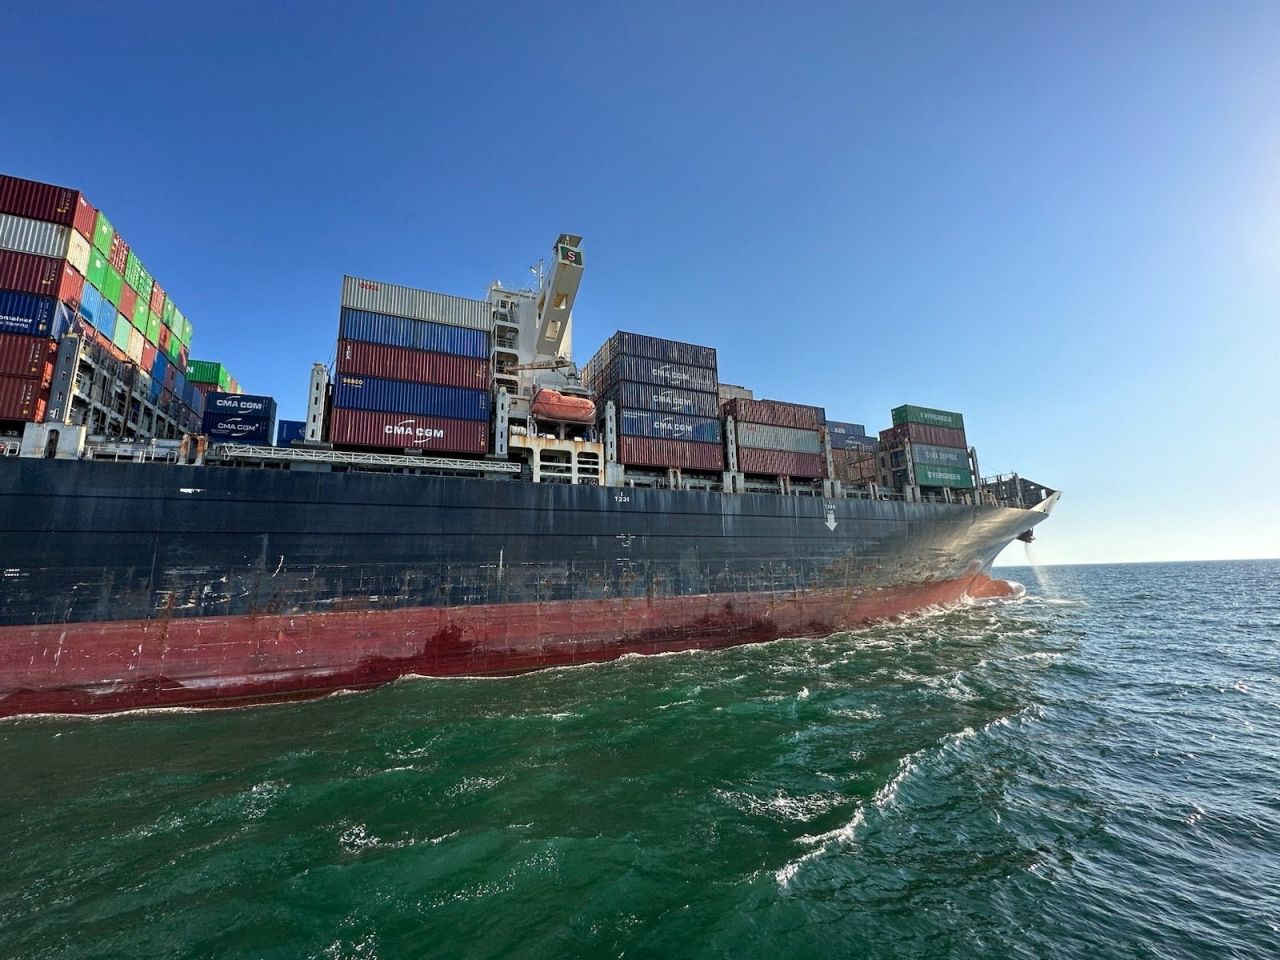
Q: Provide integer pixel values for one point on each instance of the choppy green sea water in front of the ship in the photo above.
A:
(1090, 772)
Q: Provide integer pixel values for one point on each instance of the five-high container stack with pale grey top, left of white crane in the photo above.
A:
(413, 371)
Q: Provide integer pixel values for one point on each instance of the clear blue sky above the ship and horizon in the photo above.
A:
(1062, 221)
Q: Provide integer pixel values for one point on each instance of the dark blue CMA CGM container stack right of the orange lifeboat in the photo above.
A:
(668, 401)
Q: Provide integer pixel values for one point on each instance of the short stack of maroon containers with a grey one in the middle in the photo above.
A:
(779, 440)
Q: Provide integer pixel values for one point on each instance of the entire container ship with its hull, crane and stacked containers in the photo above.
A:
(461, 499)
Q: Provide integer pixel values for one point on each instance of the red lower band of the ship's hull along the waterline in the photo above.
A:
(237, 661)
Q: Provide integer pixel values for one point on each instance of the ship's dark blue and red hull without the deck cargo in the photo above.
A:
(132, 586)
